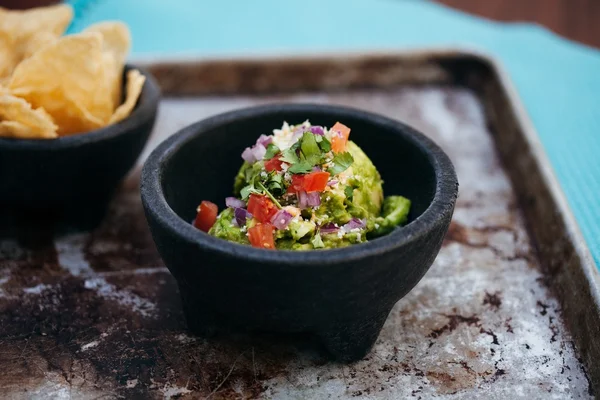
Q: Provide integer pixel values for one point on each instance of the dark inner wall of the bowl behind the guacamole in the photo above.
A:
(205, 166)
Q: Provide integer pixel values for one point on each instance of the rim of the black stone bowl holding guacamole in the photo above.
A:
(155, 203)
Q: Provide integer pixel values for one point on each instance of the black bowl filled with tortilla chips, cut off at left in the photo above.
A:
(71, 179)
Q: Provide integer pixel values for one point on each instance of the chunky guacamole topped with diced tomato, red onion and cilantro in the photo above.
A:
(305, 187)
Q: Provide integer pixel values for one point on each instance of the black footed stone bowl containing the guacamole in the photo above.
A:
(343, 296)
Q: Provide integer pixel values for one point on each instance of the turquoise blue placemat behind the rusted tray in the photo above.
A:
(559, 81)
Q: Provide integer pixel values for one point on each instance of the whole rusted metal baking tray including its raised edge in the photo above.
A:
(509, 309)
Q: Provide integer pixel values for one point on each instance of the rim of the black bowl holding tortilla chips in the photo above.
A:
(143, 111)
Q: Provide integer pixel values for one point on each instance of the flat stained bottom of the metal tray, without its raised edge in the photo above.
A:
(98, 315)
